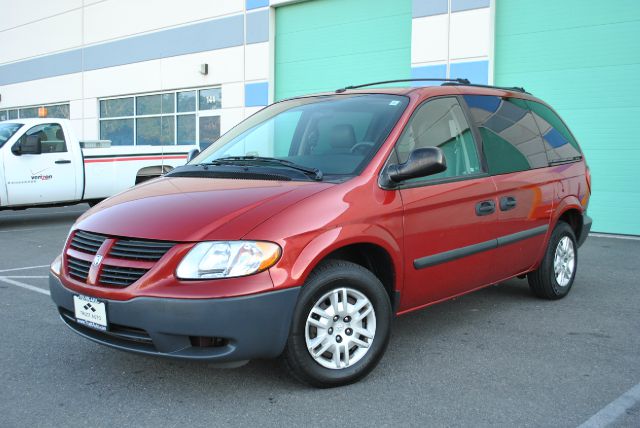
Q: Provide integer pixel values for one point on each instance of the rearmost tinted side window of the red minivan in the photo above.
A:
(558, 141)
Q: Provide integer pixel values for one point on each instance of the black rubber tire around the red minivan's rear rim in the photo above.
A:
(542, 281)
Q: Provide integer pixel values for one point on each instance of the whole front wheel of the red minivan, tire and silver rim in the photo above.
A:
(341, 325)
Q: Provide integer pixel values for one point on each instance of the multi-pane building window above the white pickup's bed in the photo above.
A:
(165, 118)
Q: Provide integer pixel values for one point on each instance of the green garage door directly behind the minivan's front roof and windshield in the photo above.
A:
(322, 45)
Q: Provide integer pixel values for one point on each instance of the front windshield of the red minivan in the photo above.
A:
(335, 134)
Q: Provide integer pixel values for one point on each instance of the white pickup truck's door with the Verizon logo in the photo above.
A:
(41, 178)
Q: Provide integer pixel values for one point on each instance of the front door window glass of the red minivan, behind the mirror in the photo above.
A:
(441, 123)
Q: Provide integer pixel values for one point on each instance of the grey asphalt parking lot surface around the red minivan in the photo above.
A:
(497, 357)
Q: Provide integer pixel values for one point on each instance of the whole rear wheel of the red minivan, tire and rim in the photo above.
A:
(554, 278)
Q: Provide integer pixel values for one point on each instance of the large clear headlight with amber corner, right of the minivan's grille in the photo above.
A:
(227, 259)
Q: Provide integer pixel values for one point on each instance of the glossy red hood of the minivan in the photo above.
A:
(194, 209)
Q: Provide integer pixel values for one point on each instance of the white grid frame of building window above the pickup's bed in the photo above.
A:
(174, 114)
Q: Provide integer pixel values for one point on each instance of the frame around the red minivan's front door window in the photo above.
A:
(393, 157)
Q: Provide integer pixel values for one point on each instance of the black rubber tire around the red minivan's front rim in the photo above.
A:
(326, 277)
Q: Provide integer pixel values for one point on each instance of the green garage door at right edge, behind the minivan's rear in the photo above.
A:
(582, 58)
